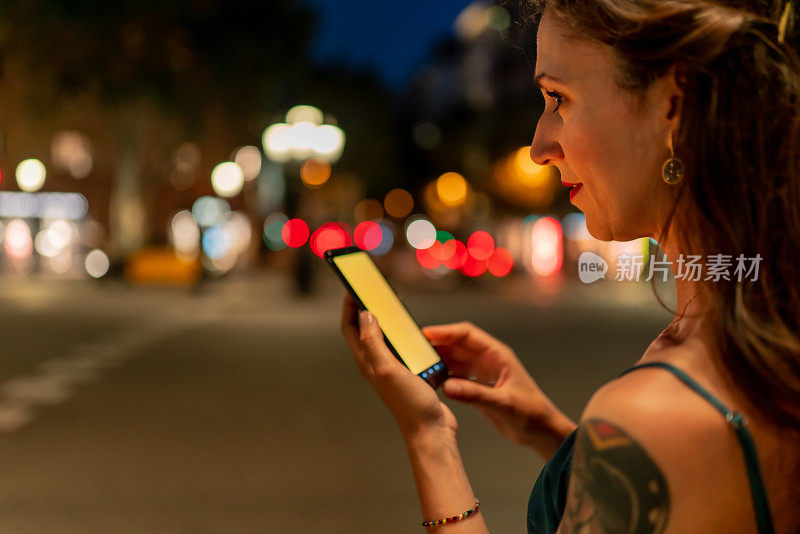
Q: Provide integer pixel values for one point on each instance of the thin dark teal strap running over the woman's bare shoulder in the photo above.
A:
(739, 424)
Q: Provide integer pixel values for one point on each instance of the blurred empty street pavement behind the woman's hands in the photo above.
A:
(237, 408)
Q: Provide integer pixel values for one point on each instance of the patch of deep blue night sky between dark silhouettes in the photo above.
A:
(390, 36)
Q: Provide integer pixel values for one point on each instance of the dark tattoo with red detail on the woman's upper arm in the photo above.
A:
(615, 487)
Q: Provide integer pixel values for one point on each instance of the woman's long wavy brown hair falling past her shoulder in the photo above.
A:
(739, 138)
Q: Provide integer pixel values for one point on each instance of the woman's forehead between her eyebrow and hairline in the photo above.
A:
(574, 61)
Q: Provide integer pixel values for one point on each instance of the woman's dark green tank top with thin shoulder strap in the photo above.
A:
(549, 495)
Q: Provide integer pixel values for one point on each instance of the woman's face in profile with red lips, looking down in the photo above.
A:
(602, 136)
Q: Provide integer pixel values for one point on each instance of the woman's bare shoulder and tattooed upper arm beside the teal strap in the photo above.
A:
(650, 456)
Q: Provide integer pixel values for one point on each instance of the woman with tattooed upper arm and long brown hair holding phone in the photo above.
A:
(680, 121)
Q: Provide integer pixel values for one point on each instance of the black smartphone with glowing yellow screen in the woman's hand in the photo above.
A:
(371, 291)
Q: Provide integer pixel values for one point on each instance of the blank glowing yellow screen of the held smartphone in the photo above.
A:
(400, 329)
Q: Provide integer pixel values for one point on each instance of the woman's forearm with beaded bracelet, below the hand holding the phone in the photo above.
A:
(442, 484)
